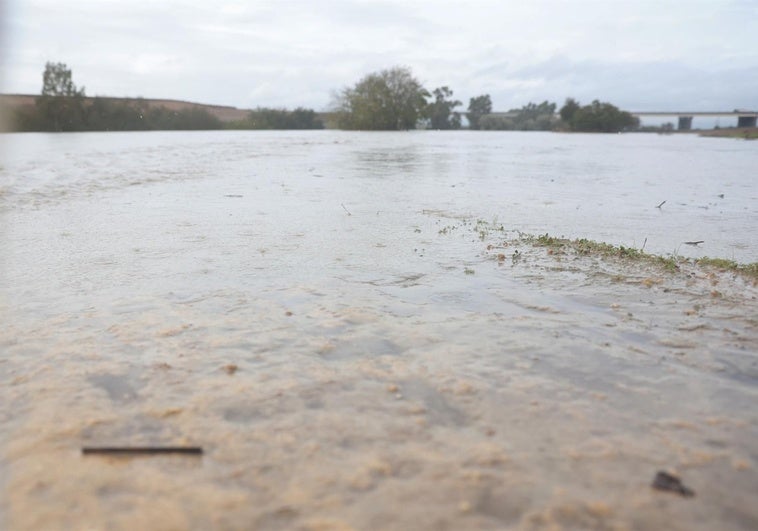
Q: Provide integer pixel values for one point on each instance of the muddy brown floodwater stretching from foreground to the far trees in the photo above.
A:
(350, 328)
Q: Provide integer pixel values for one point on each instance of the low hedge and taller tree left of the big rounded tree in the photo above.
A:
(62, 106)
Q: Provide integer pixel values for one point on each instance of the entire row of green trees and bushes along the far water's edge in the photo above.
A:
(388, 100)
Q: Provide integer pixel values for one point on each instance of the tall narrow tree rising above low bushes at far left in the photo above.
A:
(61, 105)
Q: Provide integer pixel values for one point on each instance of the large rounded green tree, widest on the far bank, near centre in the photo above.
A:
(389, 100)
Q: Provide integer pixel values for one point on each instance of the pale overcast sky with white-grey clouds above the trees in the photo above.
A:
(638, 54)
